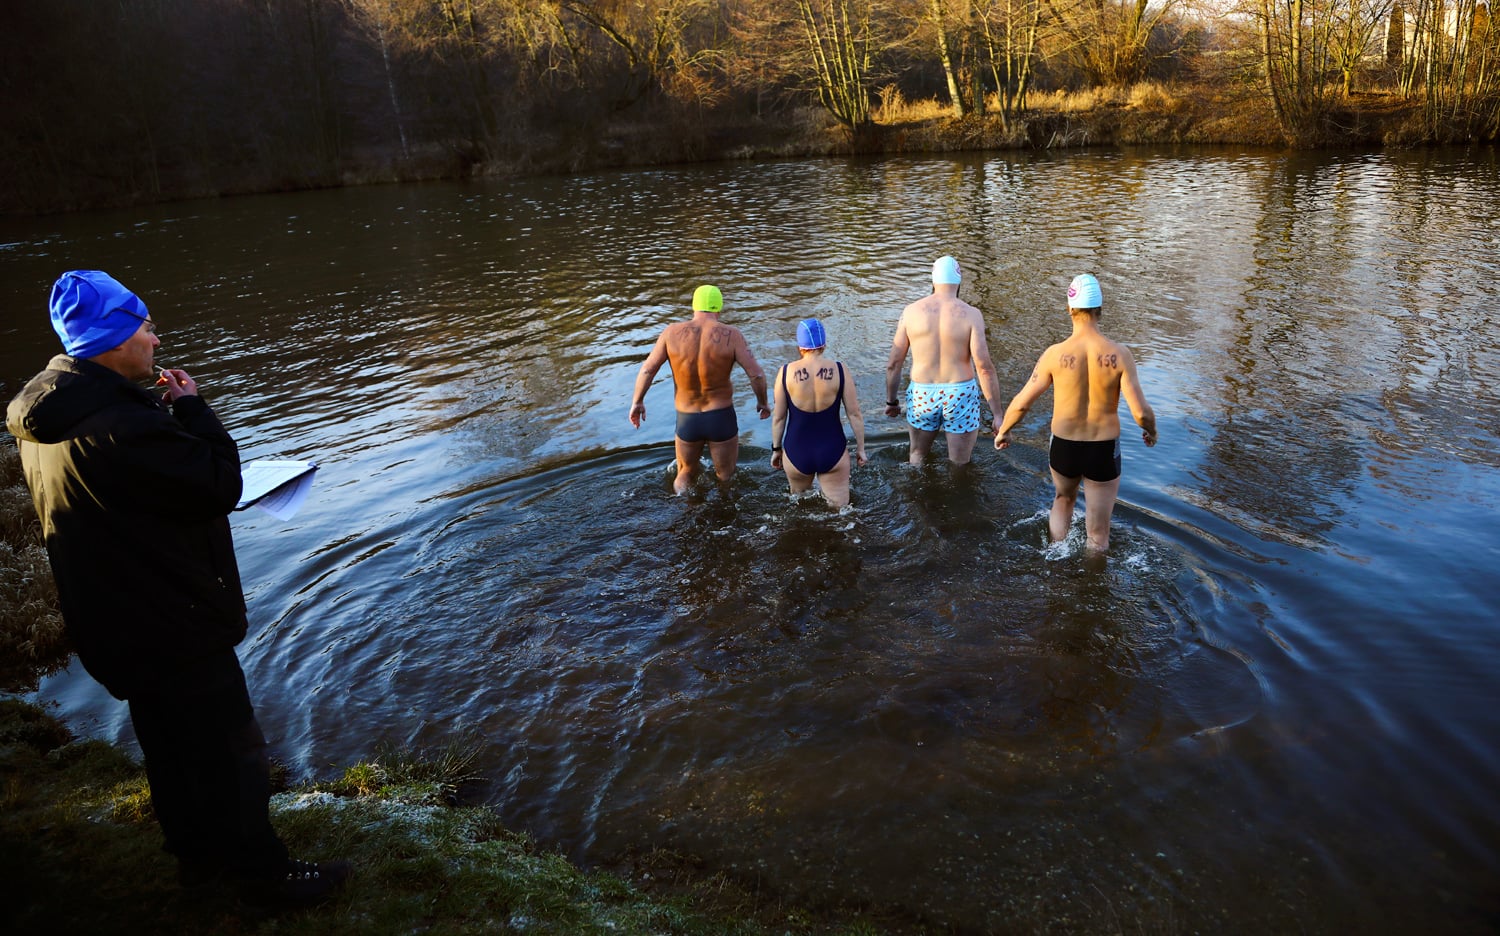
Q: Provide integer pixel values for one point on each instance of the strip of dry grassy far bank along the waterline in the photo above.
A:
(1150, 113)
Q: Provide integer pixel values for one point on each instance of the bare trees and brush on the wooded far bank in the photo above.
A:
(143, 101)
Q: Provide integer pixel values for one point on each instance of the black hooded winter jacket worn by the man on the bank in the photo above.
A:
(134, 500)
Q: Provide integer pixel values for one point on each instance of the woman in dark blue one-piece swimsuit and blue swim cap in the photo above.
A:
(806, 431)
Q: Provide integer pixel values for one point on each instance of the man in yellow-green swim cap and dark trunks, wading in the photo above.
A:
(703, 353)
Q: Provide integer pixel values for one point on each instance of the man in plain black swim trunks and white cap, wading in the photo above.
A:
(1088, 374)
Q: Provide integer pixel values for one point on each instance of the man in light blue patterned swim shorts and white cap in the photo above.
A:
(950, 368)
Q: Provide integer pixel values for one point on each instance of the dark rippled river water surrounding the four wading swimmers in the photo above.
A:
(1273, 707)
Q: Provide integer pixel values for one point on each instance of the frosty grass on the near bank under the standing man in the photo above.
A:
(82, 854)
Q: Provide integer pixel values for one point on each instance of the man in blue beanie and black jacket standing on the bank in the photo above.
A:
(134, 493)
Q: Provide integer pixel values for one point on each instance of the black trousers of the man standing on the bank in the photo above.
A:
(209, 773)
